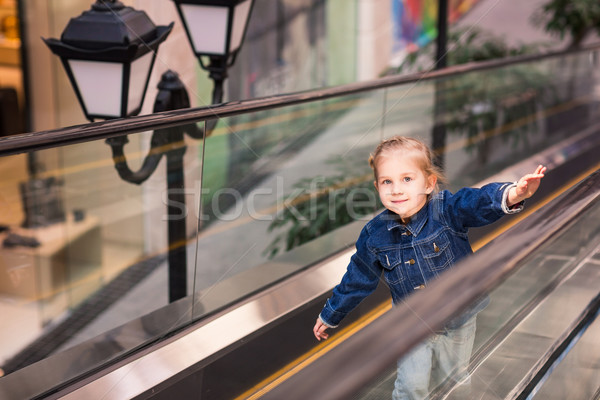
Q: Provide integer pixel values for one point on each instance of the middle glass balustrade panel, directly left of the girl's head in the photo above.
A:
(281, 190)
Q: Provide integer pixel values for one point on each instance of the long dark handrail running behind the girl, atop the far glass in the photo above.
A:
(102, 130)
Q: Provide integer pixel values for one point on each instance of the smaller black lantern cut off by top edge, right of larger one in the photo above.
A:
(216, 30)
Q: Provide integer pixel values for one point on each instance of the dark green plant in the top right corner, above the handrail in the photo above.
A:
(577, 18)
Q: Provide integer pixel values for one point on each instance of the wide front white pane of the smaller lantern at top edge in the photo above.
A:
(207, 26)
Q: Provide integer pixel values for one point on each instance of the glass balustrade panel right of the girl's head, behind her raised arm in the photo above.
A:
(483, 123)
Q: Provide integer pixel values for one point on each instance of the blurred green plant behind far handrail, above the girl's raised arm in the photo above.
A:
(482, 105)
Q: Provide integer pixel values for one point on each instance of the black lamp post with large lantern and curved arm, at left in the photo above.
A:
(108, 53)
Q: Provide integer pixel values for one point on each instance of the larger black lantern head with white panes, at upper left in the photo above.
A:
(108, 53)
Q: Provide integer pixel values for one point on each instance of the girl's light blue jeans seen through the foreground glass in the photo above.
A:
(445, 355)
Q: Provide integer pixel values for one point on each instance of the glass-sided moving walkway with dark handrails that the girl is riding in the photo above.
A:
(258, 274)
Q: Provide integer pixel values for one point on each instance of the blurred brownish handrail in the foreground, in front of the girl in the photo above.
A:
(350, 366)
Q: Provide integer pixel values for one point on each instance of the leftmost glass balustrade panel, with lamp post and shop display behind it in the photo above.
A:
(85, 251)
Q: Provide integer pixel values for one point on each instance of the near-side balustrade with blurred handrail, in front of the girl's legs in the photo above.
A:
(538, 326)
